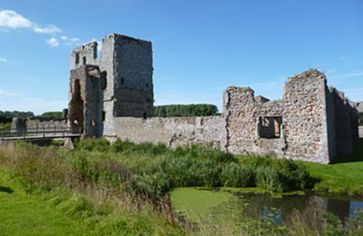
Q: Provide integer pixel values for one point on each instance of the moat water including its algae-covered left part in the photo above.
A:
(309, 208)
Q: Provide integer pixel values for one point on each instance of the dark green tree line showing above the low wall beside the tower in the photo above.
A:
(186, 110)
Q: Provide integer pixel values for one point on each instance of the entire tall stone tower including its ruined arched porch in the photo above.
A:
(116, 83)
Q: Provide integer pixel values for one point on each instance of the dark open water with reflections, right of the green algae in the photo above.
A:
(311, 207)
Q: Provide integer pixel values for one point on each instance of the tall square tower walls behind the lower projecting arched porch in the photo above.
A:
(125, 64)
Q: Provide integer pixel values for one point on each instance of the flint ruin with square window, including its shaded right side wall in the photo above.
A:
(300, 121)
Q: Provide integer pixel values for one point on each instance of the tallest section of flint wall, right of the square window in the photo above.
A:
(305, 117)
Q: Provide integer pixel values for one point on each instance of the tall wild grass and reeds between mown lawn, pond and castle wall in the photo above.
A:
(124, 188)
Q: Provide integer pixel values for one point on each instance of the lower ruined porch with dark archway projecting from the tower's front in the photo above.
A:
(86, 103)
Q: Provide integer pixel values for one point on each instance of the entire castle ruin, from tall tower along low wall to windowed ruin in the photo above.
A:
(111, 96)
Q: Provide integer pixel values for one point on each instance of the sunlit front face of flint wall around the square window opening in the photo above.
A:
(304, 122)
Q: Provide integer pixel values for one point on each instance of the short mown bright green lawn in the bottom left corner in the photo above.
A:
(22, 214)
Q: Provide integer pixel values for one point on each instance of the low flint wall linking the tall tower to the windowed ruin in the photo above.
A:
(173, 131)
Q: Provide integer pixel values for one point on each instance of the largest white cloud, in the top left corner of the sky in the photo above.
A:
(12, 20)
